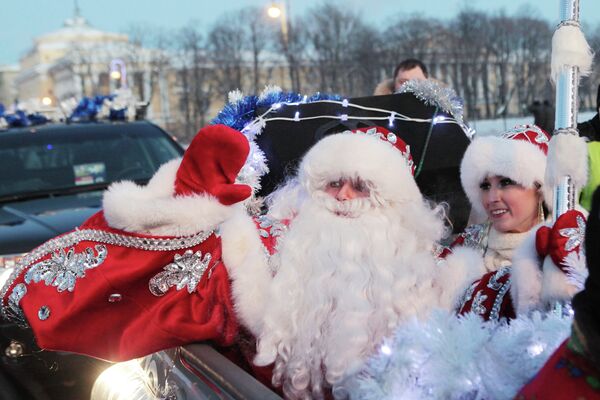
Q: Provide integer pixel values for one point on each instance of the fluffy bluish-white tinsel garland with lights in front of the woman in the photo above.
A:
(450, 357)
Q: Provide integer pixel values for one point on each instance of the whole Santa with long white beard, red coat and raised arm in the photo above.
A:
(350, 243)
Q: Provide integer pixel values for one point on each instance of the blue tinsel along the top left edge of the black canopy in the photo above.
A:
(237, 115)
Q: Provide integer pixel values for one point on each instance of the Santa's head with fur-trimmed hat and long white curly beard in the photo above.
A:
(356, 259)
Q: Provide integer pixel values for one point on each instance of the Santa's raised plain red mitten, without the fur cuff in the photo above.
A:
(212, 162)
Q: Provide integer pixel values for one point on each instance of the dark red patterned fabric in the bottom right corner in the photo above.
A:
(565, 376)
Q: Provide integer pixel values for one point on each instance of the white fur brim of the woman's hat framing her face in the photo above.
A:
(518, 160)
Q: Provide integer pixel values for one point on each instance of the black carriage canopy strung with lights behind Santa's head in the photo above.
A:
(439, 145)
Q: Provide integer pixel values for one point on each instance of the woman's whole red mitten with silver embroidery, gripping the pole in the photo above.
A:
(565, 236)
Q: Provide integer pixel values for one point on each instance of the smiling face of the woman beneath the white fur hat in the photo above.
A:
(510, 207)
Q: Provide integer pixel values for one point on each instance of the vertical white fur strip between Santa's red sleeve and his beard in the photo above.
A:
(246, 263)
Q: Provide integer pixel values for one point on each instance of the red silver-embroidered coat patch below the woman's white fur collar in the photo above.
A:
(492, 288)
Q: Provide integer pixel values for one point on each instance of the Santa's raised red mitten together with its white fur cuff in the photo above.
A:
(186, 195)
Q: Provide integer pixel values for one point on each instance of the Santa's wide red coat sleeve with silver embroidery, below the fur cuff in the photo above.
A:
(109, 311)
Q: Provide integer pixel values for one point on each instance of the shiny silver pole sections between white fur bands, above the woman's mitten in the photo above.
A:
(565, 121)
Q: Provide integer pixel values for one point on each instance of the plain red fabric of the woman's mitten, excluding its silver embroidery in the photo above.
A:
(550, 241)
